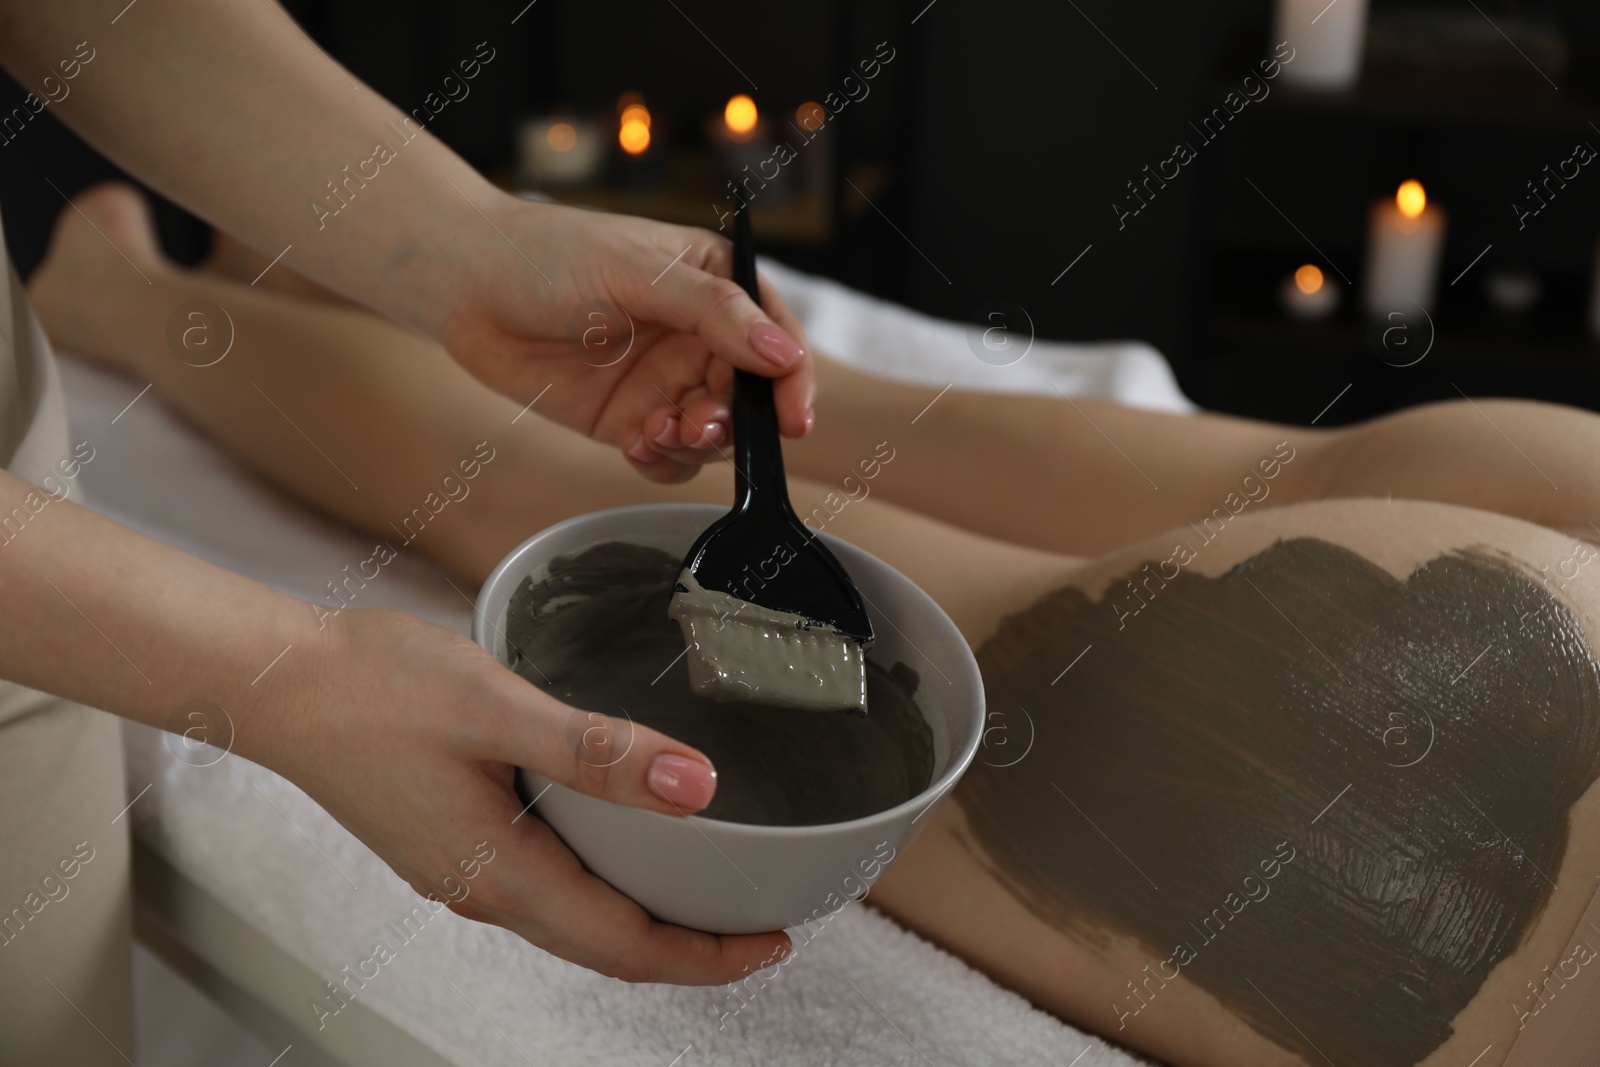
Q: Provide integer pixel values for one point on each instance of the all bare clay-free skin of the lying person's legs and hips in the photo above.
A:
(418, 417)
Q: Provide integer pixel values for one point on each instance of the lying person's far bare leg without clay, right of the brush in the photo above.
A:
(1089, 476)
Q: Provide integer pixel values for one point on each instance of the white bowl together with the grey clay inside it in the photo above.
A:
(810, 807)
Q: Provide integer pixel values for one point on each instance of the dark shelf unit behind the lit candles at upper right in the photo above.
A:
(1476, 126)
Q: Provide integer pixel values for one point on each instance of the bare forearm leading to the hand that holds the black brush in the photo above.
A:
(231, 111)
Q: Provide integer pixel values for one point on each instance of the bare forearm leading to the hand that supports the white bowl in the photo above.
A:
(110, 618)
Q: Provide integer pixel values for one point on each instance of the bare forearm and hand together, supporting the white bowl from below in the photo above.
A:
(404, 732)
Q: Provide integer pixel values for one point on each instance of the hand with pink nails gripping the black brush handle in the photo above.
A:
(636, 329)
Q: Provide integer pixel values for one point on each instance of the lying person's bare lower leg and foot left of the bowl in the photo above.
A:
(351, 414)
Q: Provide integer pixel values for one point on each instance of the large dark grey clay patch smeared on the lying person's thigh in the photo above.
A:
(1458, 706)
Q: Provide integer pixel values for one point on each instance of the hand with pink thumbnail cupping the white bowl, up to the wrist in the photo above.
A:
(418, 764)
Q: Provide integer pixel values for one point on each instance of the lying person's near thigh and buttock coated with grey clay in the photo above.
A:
(1321, 789)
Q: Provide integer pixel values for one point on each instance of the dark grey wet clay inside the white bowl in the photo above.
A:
(596, 634)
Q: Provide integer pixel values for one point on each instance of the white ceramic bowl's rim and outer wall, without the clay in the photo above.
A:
(730, 877)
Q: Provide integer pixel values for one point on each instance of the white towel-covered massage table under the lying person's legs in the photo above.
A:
(257, 895)
